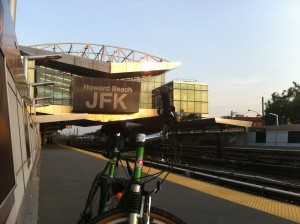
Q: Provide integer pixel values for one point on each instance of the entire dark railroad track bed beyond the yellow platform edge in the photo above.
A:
(280, 182)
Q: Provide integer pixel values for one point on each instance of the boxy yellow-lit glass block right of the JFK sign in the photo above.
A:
(187, 97)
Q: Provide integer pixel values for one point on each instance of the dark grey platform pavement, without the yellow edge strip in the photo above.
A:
(66, 175)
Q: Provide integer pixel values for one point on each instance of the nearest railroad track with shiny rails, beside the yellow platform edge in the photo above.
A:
(262, 186)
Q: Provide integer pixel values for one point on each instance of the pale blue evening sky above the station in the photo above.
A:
(243, 49)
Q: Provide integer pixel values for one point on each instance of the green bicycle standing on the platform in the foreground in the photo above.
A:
(117, 200)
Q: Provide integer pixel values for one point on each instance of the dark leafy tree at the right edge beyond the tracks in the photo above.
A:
(286, 105)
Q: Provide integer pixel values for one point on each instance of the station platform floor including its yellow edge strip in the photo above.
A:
(63, 176)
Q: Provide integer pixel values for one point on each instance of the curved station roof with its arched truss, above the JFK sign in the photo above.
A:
(100, 60)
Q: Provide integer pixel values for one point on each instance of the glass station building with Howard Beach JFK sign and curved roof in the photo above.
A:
(89, 84)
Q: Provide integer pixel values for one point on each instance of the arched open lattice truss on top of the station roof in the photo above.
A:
(100, 52)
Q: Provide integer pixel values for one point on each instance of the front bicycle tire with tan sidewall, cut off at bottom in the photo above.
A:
(120, 216)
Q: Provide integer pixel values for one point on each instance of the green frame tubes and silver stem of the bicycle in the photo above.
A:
(131, 199)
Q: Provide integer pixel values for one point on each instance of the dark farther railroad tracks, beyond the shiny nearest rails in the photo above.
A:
(274, 162)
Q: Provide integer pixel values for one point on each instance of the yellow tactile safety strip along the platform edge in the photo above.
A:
(281, 209)
